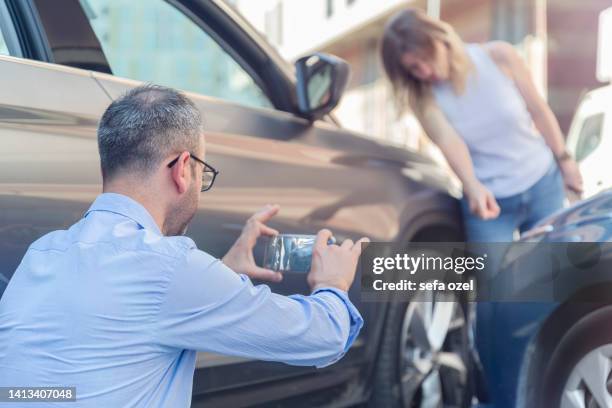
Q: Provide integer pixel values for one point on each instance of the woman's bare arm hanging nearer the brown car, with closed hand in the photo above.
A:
(481, 200)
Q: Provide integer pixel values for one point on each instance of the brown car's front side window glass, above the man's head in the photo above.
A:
(154, 41)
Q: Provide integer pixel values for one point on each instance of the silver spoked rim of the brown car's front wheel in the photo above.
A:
(428, 323)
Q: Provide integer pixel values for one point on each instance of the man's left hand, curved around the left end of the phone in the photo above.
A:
(240, 256)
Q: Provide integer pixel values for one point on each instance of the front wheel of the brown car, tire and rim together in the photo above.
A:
(424, 360)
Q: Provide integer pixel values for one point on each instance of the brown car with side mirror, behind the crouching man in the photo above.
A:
(270, 133)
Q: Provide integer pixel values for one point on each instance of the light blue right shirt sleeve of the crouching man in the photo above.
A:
(209, 307)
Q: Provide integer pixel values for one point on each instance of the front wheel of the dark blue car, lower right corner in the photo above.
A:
(580, 372)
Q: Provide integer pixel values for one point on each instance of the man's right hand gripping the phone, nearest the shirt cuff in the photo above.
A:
(333, 265)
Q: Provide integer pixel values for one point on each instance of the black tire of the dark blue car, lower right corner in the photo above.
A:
(589, 333)
